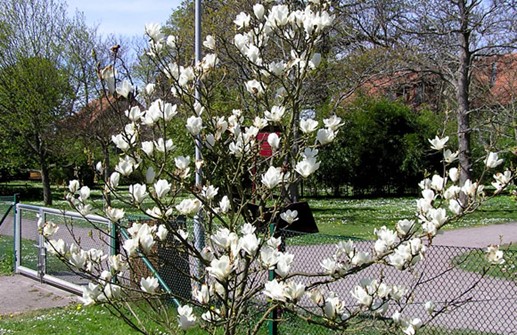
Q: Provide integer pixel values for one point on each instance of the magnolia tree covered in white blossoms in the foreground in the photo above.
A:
(242, 271)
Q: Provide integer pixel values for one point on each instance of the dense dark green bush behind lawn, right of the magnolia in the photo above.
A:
(382, 149)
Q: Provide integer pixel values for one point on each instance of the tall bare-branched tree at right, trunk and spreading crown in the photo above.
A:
(448, 38)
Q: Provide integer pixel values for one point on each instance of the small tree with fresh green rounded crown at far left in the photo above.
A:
(34, 95)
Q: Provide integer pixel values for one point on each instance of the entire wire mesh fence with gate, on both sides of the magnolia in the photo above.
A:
(480, 298)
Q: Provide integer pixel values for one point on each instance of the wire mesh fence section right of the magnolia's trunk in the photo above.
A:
(481, 298)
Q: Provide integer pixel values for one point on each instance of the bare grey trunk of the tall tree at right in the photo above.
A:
(462, 97)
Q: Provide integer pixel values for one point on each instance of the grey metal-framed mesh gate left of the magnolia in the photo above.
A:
(31, 256)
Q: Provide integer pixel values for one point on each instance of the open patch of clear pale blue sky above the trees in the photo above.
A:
(123, 17)
